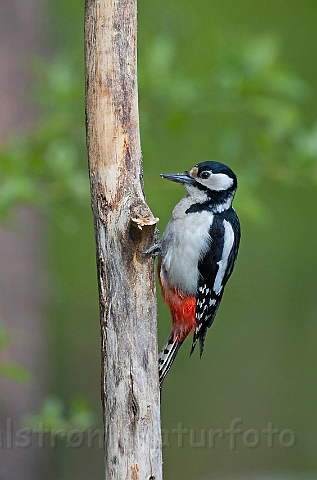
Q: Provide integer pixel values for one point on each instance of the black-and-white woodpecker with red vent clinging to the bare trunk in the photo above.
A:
(197, 253)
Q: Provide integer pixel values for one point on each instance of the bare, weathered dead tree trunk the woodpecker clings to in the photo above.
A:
(124, 225)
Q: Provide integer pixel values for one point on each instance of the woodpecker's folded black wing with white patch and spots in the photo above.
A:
(215, 269)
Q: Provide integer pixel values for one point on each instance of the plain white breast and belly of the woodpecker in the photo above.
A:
(185, 240)
